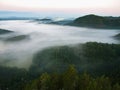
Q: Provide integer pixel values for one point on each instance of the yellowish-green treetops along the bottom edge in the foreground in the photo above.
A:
(71, 80)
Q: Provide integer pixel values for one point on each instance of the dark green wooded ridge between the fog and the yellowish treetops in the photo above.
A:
(95, 58)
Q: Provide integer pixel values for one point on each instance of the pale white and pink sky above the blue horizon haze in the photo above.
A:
(103, 7)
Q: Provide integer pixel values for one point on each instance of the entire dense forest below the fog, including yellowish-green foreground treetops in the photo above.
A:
(89, 66)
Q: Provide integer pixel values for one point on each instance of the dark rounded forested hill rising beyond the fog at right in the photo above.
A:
(95, 21)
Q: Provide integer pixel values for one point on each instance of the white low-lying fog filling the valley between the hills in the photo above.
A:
(18, 48)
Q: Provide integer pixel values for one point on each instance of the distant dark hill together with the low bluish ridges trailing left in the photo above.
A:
(92, 21)
